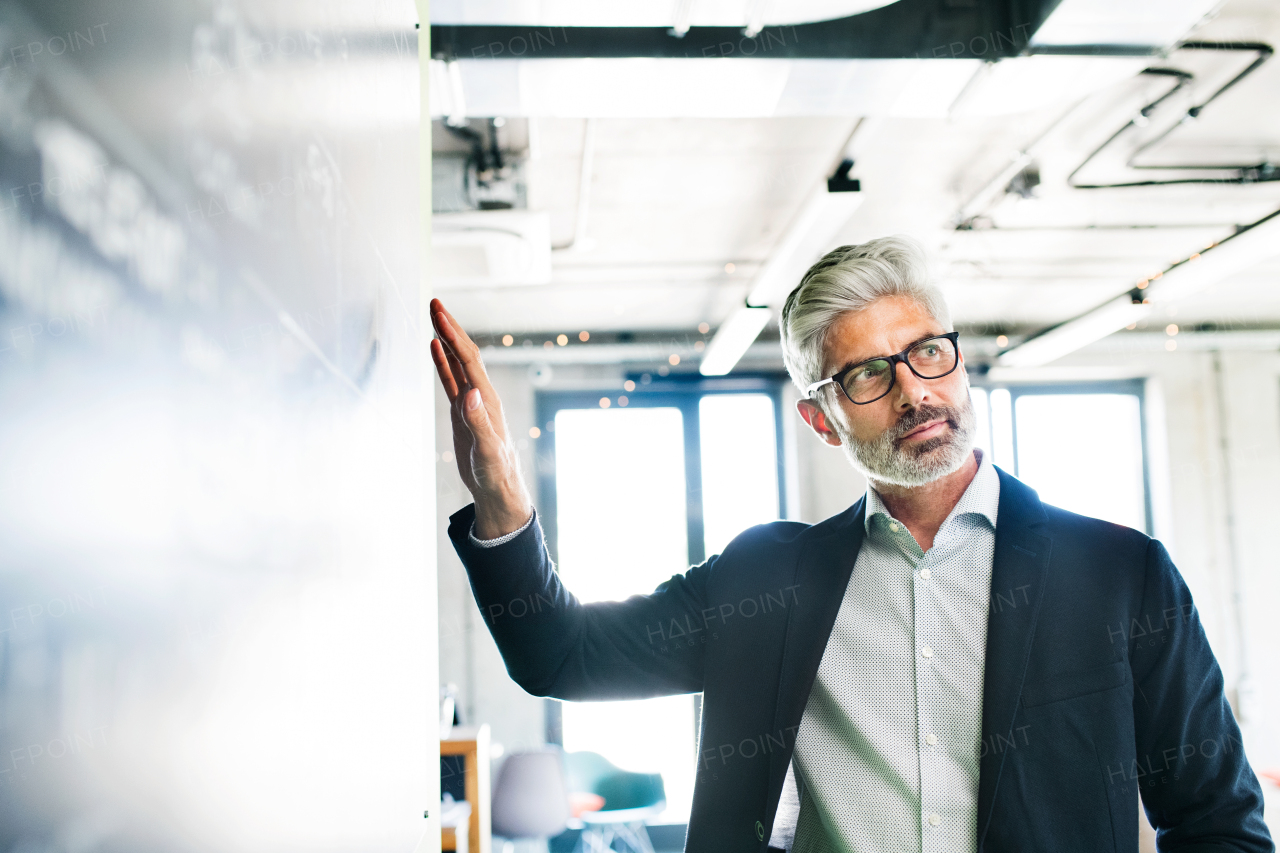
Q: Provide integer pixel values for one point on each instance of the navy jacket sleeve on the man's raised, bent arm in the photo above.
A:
(556, 646)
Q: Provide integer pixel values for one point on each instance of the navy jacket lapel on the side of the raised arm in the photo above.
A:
(822, 576)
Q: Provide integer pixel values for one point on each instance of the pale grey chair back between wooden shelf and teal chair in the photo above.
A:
(531, 797)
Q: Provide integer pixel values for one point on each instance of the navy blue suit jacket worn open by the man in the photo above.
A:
(1100, 685)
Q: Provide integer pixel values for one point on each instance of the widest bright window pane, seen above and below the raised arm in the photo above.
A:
(621, 518)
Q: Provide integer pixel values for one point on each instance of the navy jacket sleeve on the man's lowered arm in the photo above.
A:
(1199, 790)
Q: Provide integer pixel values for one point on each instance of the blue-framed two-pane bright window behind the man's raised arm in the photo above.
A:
(629, 517)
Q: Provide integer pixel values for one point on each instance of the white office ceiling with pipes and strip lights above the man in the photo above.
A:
(679, 200)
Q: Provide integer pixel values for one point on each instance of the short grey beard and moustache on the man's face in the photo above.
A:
(886, 460)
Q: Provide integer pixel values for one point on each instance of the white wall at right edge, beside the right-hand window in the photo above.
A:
(1223, 507)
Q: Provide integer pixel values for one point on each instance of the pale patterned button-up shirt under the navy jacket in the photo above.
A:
(886, 758)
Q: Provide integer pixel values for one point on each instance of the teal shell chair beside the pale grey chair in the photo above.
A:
(630, 801)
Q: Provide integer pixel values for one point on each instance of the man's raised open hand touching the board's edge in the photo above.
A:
(486, 457)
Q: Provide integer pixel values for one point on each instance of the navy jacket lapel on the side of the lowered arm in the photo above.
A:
(1020, 572)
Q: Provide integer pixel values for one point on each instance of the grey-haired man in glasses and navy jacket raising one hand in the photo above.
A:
(947, 667)
